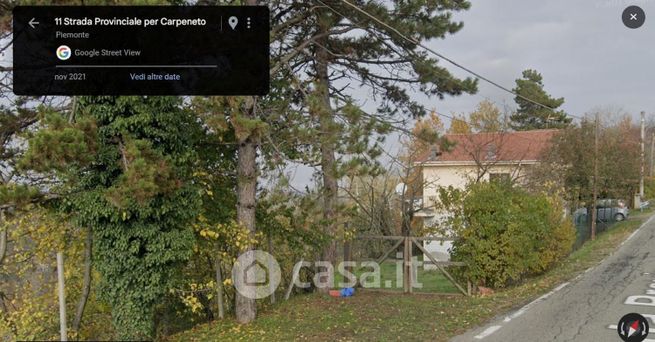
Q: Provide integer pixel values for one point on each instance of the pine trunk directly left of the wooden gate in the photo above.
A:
(328, 160)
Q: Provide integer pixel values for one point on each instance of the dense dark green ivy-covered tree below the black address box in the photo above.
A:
(129, 177)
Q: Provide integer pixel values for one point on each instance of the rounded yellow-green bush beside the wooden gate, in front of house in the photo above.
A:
(505, 233)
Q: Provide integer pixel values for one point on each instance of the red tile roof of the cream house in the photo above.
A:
(500, 146)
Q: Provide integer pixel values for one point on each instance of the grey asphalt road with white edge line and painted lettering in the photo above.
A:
(589, 306)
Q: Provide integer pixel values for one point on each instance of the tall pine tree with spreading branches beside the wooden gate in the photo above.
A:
(347, 47)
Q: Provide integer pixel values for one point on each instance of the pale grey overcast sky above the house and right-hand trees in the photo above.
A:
(581, 47)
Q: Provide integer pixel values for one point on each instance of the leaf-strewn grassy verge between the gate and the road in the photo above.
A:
(371, 316)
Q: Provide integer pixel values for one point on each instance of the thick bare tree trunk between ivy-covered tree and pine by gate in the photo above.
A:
(246, 204)
